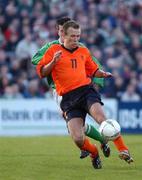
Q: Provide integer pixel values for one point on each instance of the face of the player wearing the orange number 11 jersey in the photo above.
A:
(71, 38)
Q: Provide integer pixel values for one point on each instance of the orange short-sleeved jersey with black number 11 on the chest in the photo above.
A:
(72, 69)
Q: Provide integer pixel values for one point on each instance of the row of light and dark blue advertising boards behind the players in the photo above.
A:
(23, 117)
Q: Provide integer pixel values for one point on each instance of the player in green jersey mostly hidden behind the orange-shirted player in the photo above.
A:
(90, 130)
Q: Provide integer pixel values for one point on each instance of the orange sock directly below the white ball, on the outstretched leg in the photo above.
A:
(119, 143)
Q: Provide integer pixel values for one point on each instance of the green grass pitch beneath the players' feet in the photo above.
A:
(57, 158)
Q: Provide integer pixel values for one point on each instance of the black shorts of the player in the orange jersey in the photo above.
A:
(76, 103)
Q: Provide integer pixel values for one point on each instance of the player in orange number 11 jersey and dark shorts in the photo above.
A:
(69, 63)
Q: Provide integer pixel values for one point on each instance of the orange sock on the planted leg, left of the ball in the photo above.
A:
(89, 147)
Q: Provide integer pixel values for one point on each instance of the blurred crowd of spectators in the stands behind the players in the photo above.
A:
(111, 29)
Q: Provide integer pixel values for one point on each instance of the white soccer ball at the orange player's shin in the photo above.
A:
(110, 129)
